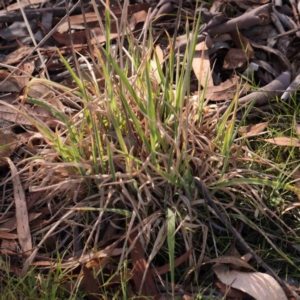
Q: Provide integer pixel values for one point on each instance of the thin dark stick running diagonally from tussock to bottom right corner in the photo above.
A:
(209, 201)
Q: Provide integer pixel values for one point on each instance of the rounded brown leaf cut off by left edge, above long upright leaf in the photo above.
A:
(8, 143)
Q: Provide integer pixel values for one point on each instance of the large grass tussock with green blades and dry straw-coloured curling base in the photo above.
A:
(119, 157)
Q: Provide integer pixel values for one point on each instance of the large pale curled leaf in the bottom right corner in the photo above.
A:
(260, 286)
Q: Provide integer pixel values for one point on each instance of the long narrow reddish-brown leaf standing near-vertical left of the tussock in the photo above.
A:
(23, 228)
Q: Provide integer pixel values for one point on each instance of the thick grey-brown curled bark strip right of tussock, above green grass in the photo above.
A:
(266, 93)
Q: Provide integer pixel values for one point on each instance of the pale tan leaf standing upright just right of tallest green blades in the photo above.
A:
(201, 65)
